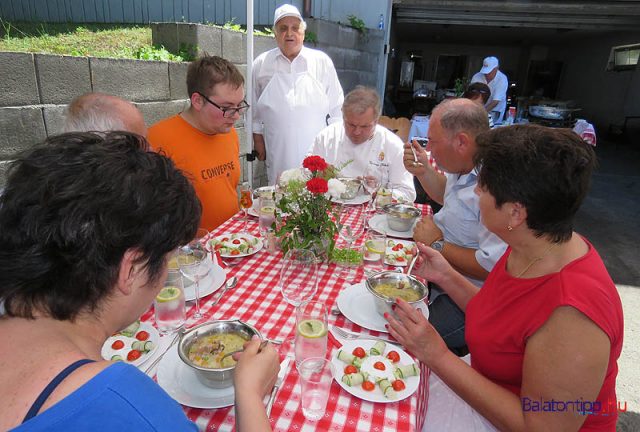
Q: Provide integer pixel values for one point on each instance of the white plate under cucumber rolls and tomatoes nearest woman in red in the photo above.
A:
(376, 395)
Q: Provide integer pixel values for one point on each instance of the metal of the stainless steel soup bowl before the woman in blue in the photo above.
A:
(214, 378)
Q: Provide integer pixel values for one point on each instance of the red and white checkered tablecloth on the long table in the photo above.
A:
(257, 301)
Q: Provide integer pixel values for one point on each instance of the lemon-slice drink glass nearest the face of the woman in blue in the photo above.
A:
(169, 304)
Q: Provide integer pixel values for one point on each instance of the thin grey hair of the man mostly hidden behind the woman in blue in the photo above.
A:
(94, 112)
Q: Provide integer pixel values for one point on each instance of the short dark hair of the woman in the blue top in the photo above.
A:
(71, 209)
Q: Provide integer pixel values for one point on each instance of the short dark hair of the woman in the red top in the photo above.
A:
(547, 170)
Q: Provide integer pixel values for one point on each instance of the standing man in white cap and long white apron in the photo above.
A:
(296, 93)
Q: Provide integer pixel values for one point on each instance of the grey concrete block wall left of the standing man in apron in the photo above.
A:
(36, 88)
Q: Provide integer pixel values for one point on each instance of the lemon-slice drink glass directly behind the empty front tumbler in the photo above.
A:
(311, 331)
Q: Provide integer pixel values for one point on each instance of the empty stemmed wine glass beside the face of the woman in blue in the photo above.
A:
(194, 263)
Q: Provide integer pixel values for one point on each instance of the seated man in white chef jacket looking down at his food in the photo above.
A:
(360, 139)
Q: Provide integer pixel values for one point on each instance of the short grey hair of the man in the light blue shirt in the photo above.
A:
(461, 115)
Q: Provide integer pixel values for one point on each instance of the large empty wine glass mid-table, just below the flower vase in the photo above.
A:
(298, 276)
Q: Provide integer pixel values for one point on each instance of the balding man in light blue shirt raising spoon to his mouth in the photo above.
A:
(456, 230)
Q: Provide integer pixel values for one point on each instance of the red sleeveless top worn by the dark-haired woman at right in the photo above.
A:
(507, 310)
